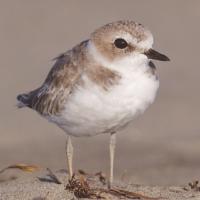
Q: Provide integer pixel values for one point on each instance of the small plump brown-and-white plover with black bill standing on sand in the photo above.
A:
(100, 85)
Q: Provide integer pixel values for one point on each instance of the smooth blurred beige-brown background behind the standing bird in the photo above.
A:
(160, 147)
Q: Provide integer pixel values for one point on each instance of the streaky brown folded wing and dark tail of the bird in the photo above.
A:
(49, 99)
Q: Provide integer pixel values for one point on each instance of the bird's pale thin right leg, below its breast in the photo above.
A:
(112, 153)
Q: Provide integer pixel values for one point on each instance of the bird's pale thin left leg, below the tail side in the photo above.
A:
(69, 152)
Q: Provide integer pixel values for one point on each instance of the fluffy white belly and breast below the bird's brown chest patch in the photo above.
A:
(90, 110)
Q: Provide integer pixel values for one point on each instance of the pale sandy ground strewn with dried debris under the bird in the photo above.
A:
(41, 187)
